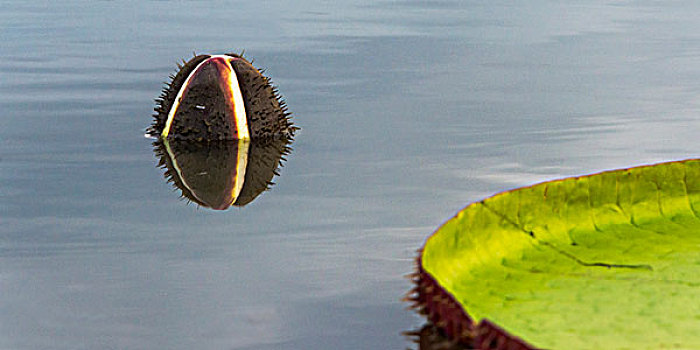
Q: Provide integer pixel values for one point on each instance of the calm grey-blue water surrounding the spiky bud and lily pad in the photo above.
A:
(408, 110)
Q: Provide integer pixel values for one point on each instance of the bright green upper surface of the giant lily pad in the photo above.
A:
(607, 261)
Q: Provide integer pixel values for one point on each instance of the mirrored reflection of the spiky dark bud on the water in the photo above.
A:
(218, 174)
